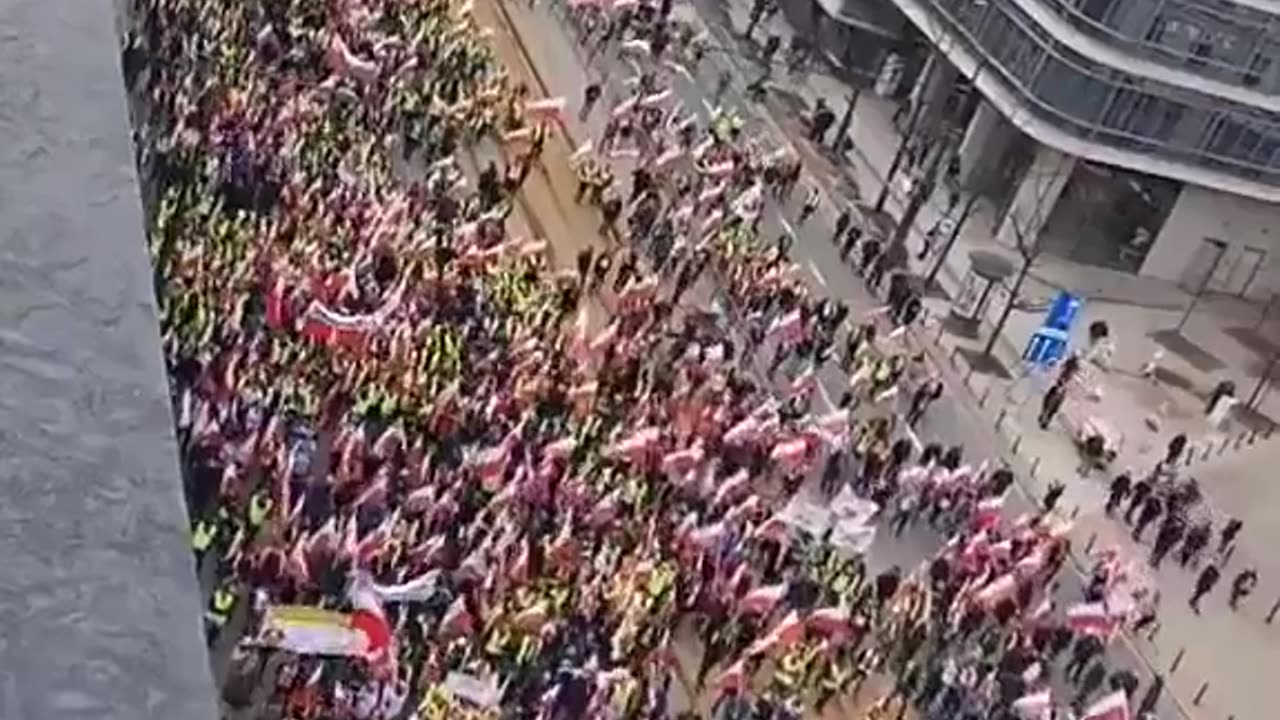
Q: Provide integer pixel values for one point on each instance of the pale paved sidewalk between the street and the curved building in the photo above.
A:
(1228, 651)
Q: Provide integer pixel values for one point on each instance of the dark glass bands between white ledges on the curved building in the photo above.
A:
(1107, 106)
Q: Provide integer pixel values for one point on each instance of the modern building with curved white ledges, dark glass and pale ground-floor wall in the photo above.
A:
(1174, 99)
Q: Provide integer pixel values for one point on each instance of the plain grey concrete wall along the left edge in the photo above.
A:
(99, 608)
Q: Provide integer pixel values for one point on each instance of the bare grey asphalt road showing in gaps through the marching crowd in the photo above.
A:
(954, 420)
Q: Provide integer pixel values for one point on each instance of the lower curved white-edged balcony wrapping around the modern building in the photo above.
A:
(1068, 101)
